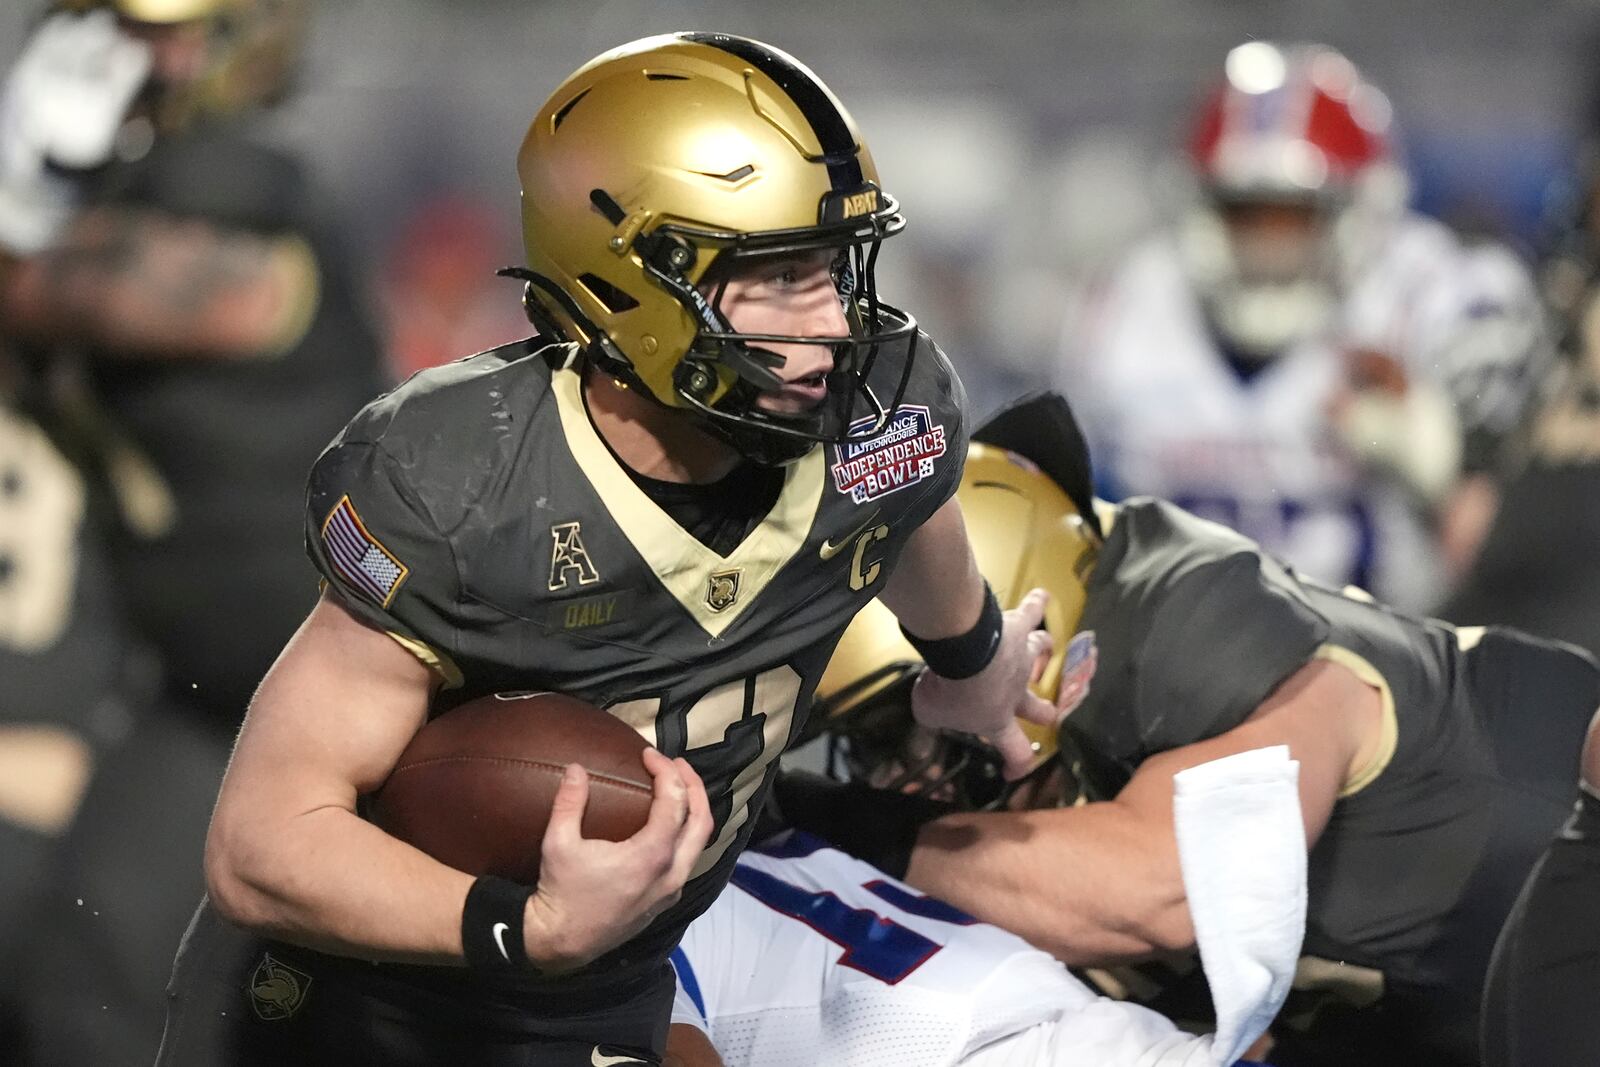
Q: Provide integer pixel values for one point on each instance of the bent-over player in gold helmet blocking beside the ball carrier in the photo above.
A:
(1436, 762)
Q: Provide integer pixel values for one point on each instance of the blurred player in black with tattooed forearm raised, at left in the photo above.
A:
(172, 281)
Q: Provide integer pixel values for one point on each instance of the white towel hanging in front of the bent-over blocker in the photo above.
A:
(1242, 847)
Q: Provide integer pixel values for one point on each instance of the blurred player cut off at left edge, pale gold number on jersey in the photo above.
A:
(70, 674)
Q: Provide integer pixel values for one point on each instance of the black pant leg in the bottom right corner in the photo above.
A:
(1543, 999)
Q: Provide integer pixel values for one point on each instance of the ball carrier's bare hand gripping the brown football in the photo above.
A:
(594, 895)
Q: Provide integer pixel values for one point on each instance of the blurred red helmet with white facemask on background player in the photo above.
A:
(1295, 158)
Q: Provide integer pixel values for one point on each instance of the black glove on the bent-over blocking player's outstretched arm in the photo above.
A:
(873, 825)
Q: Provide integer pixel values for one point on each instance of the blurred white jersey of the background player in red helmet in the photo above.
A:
(1169, 417)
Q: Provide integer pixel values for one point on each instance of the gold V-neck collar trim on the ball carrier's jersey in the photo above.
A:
(681, 562)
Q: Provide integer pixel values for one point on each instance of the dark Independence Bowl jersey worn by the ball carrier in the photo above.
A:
(479, 518)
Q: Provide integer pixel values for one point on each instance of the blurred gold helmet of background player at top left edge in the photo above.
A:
(228, 55)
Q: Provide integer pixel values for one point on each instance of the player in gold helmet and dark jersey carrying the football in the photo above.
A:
(670, 503)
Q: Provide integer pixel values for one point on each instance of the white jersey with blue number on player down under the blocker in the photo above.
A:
(814, 957)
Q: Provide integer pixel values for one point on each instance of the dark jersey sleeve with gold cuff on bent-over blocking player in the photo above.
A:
(1225, 637)
